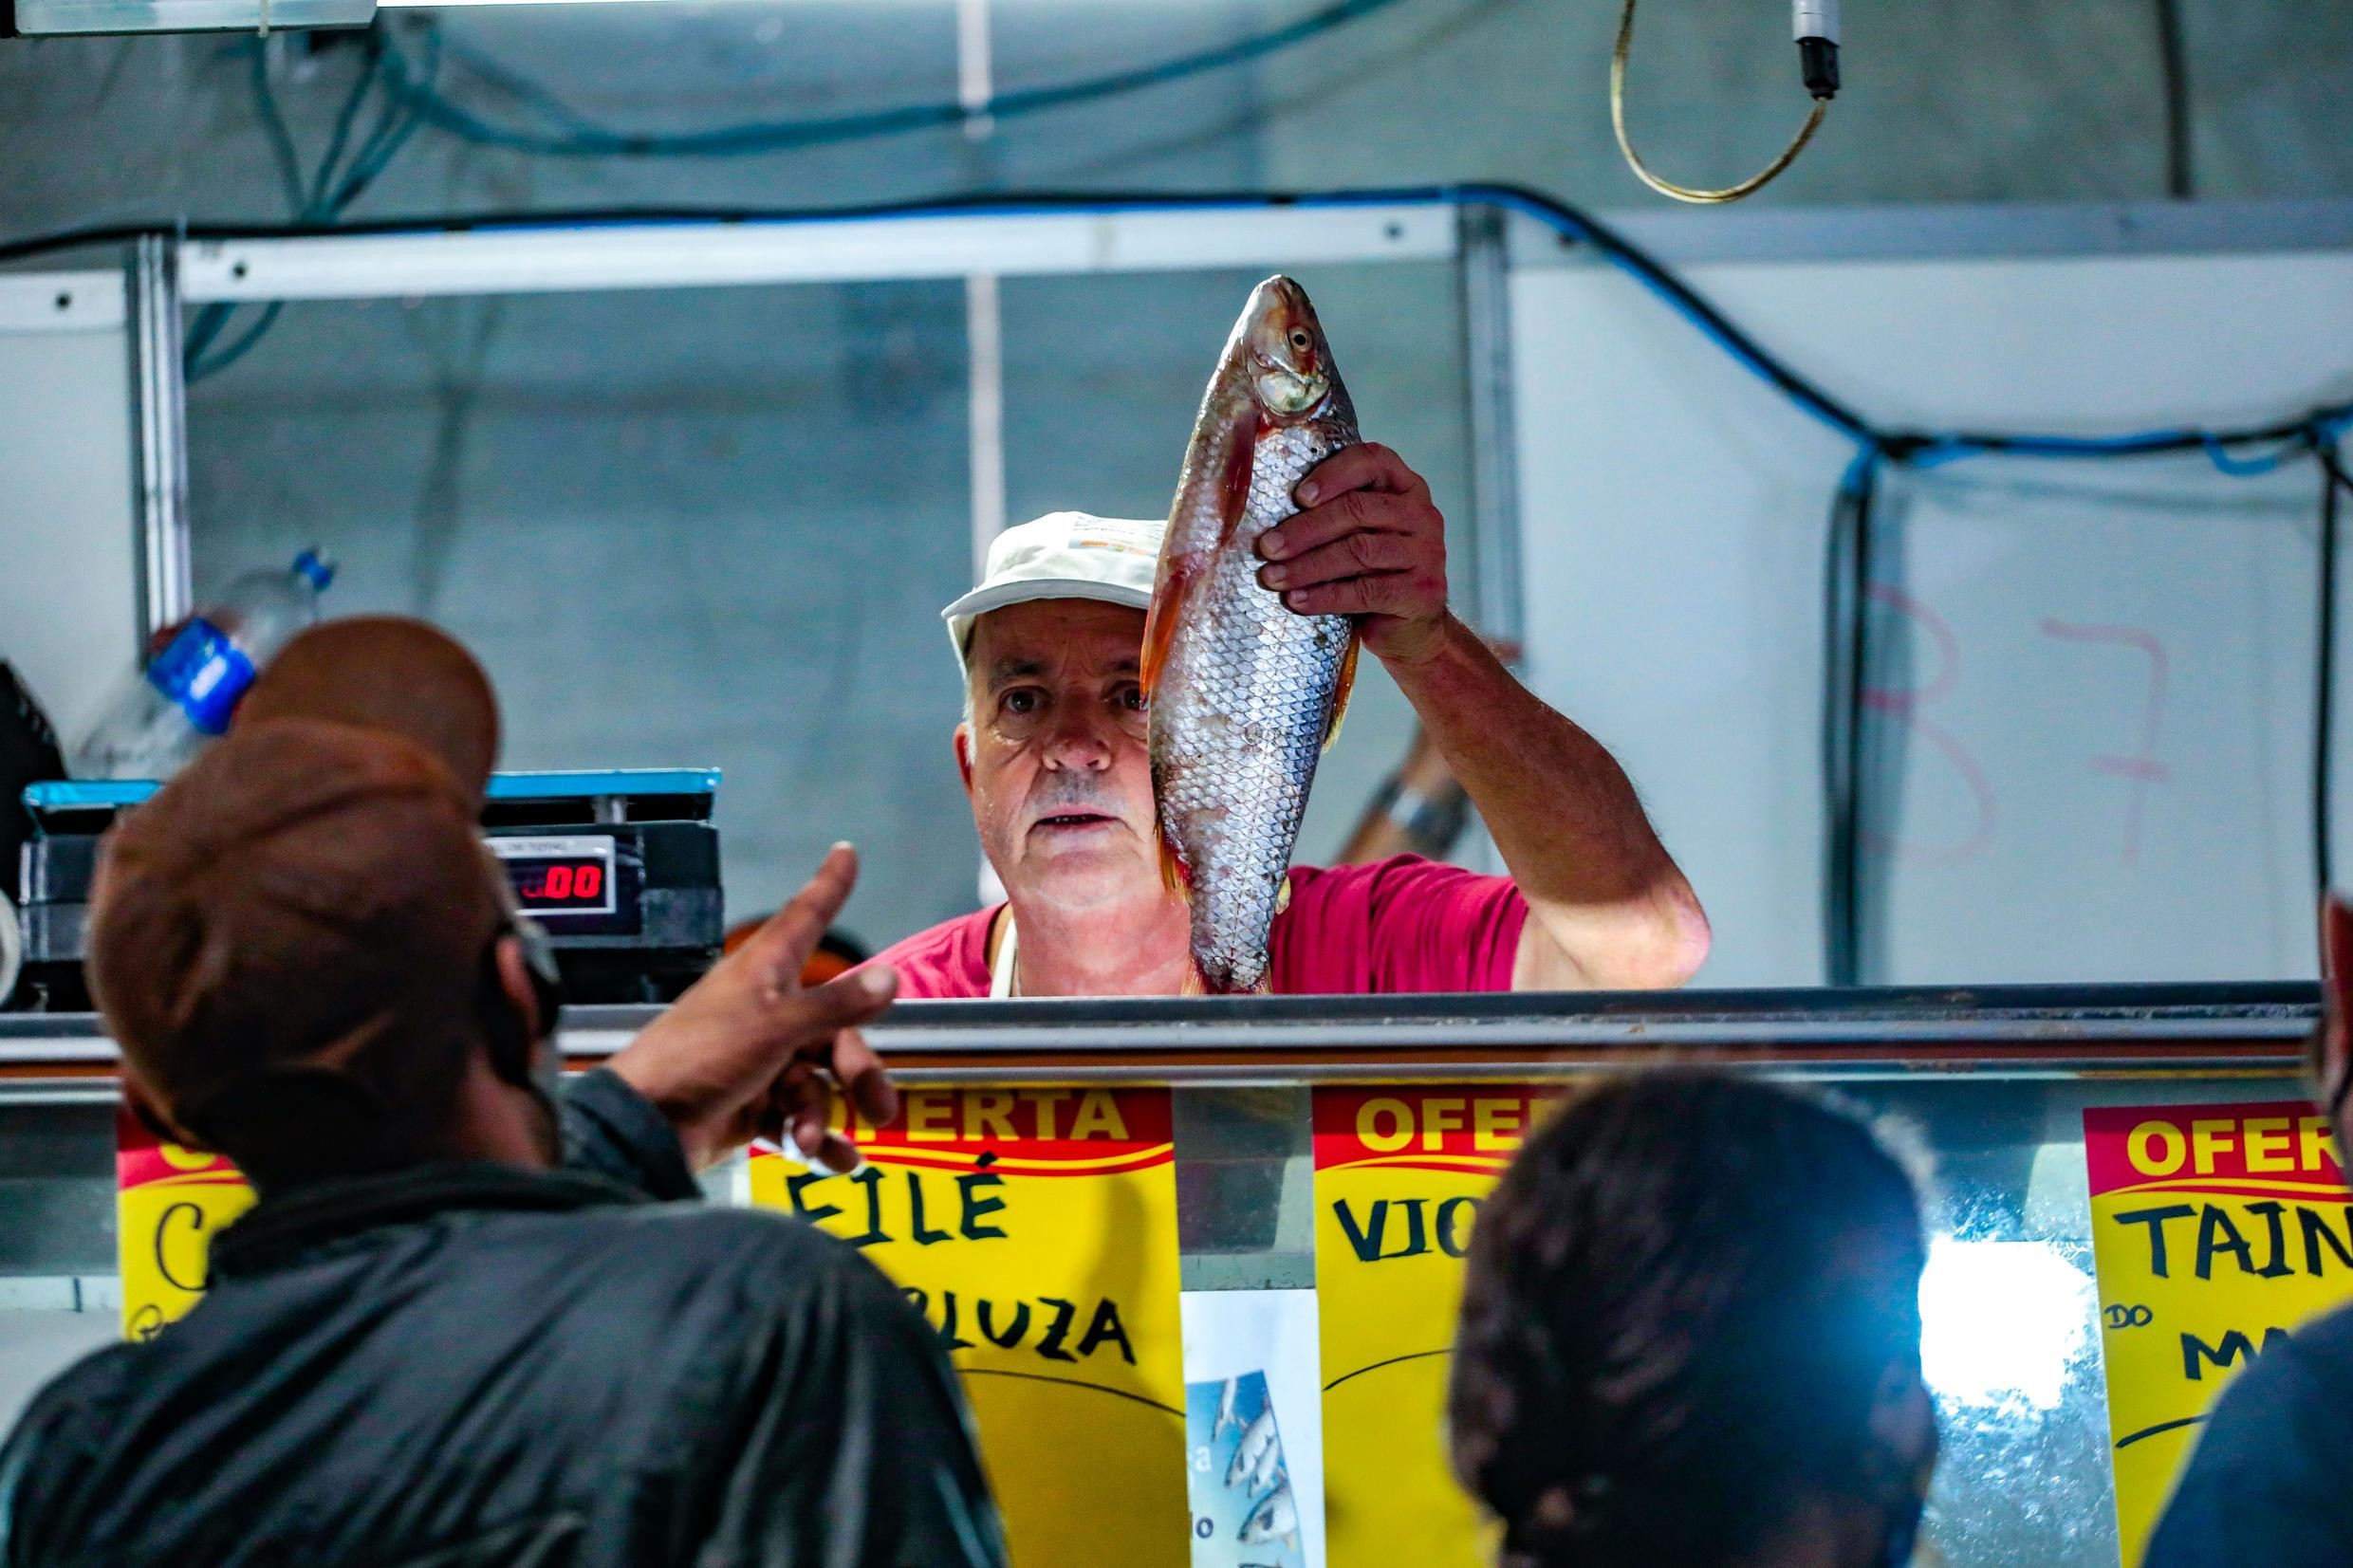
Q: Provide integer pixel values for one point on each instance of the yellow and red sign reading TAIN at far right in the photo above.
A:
(2215, 1228)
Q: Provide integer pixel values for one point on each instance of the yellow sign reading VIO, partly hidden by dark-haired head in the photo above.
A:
(1399, 1181)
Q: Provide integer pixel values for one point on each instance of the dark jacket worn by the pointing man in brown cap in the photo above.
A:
(460, 1367)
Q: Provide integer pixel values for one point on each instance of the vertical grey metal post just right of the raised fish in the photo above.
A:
(1495, 453)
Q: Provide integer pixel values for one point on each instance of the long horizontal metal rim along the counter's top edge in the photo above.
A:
(2001, 1033)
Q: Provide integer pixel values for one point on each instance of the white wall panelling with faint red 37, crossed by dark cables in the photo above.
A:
(2037, 829)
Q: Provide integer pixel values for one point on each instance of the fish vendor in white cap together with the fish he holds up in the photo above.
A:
(1147, 704)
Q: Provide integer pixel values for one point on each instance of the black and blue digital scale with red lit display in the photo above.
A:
(622, 869)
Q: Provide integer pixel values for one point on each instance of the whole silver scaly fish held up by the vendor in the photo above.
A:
(1244, 692)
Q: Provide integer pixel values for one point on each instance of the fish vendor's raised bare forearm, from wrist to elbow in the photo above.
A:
(1566, 819)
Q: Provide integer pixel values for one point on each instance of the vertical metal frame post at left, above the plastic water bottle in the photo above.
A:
(164, 438)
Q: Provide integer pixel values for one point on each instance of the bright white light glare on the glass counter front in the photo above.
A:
(2001, 1322)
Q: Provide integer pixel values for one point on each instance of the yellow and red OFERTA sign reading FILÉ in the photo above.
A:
(1036, 1231)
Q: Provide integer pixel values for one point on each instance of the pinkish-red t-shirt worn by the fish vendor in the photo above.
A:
(1404, 925)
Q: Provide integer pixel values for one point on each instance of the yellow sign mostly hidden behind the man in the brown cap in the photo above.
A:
(168, 1207)
